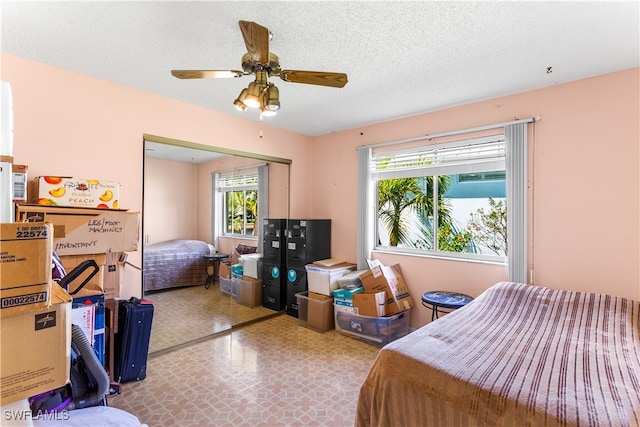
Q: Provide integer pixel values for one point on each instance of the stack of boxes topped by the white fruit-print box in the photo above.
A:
(98, 232)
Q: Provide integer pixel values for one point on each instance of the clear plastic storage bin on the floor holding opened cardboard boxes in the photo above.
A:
(374, 330)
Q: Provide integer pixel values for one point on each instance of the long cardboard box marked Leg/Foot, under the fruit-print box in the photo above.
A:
(86, 231)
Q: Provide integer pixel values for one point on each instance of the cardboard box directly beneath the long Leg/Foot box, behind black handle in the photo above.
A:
(108, 278)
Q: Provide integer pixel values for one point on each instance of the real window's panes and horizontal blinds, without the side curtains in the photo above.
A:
(443, 198)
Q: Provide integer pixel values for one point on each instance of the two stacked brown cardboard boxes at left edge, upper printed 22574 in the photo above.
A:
(35, 314)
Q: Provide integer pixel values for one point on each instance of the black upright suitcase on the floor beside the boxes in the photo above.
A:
(132, 340)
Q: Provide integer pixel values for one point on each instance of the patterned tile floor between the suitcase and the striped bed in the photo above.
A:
(270, 373)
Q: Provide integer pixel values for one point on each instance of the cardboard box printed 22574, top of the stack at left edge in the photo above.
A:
(25, 265)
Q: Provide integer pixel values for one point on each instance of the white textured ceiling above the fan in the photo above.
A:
(402, 58)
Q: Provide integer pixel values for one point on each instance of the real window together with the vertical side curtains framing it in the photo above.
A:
(448, 199)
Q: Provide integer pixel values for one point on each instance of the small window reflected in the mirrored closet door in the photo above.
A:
(240, 203)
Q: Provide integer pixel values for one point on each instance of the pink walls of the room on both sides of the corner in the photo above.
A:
(585, 178)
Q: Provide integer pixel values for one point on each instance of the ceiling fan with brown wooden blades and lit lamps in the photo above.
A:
(263, 64)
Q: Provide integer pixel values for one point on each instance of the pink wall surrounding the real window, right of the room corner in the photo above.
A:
(584, 180)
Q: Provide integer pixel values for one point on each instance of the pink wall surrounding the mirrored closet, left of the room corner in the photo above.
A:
(67, 123)
